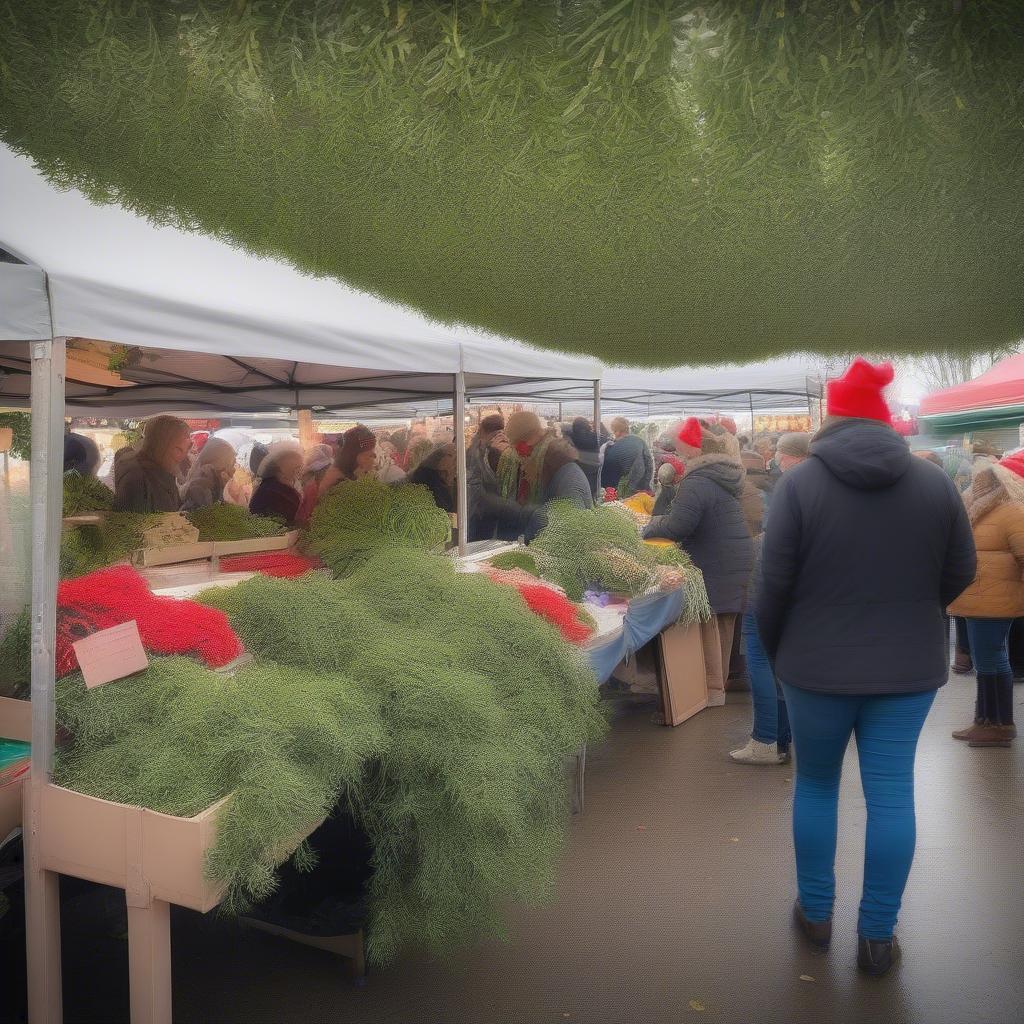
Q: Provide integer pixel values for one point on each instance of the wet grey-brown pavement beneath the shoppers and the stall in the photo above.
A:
(673, 907)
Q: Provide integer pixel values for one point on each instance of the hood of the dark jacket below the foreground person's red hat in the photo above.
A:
(864, 454)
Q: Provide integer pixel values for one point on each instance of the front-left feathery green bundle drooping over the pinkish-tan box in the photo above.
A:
(286, 744)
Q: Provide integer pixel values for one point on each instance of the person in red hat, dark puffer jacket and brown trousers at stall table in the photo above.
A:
(706, 519)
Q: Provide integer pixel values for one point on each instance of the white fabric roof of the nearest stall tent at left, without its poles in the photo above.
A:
(104, 273)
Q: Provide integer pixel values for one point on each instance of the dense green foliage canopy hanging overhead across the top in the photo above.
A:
(653, 182)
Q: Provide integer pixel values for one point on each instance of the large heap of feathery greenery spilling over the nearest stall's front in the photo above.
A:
(432, 705)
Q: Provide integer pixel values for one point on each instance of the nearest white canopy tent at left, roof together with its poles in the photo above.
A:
(217, 330)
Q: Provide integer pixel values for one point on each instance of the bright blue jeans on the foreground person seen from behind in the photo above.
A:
(887, 730)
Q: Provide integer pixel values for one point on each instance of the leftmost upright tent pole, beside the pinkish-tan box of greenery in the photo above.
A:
(41, 887)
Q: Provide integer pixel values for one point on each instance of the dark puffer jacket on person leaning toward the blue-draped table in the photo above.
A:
(707, 521)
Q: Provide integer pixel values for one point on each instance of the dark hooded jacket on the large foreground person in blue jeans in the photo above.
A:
(865, 548)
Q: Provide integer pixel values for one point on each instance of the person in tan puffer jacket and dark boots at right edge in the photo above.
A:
(996, 508)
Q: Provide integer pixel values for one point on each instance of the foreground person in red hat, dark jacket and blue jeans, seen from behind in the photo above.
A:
(866, 547)
